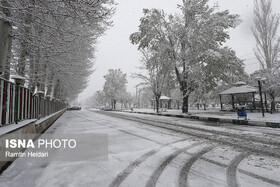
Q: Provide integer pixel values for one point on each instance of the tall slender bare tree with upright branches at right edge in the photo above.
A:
(267, 51)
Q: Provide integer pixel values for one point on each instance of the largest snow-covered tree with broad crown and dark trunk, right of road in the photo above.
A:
(193, 41)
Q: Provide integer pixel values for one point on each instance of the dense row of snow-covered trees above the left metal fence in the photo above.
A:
(54, 41)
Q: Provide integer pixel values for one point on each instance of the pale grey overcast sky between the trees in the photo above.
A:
(116, 51)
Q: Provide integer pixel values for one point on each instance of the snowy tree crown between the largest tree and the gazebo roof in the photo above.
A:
(217, 72)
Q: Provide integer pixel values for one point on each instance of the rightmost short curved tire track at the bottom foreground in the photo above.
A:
(232, 169)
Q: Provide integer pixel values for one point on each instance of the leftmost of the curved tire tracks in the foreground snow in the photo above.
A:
(123, 175)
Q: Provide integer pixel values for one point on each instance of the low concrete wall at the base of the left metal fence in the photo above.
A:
(27, 131)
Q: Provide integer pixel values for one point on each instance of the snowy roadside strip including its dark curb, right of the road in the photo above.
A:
(215, 115)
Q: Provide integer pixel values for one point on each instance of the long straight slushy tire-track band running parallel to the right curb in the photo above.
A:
(256, 145)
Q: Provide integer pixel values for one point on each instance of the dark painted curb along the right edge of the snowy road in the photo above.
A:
(215, 120)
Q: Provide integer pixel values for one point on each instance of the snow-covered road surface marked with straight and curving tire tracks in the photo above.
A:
(147, 150)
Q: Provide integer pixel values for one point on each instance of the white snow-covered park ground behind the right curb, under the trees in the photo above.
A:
(216, 113)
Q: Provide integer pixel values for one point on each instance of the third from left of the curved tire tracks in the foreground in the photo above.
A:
(183, 176)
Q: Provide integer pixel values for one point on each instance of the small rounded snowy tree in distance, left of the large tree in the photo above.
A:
(115, 86)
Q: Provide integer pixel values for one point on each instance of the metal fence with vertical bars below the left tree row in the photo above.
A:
(18, 103)
